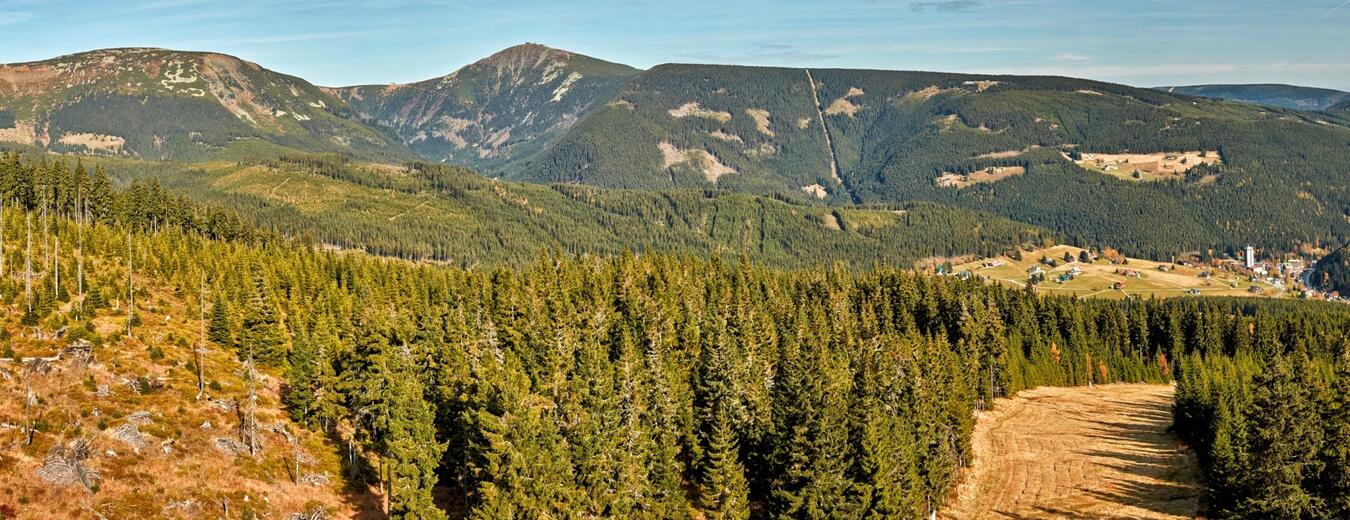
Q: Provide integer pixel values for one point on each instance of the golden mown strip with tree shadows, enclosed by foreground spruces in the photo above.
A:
(1079, 453)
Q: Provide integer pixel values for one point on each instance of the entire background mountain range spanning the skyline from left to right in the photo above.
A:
(1150, 172)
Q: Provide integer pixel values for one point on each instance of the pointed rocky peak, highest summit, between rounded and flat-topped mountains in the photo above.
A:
(495, 111)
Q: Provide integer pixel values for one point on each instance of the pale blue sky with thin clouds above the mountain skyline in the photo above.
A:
(344, 43)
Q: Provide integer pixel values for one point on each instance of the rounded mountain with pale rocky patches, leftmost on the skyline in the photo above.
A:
(163, 105)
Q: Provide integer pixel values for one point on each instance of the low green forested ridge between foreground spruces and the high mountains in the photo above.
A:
(453, 215)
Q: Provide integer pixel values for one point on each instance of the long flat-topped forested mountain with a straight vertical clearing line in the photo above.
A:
(888, 137)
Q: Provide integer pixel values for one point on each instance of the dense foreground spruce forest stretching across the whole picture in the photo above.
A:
(674, 387)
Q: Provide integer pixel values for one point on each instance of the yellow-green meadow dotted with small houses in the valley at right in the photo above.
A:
(1098, 279)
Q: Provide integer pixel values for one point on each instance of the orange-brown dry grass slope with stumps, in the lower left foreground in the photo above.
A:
(178, 472)
